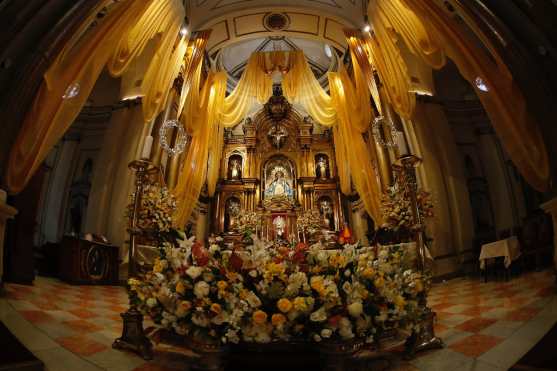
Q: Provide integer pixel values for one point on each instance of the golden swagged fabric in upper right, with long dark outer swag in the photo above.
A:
(425, 26)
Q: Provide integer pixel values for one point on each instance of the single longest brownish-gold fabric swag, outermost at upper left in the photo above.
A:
(51, 115)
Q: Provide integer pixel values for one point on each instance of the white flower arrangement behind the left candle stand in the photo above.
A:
(156, 209)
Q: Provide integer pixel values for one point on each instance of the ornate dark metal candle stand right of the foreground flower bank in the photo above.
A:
(406, 173)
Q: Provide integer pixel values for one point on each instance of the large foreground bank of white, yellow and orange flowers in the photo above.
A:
(265, 294)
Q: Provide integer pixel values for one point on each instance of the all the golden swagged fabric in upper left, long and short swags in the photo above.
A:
(114, 42)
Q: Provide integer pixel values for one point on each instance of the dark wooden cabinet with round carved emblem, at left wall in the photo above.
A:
(84, 262)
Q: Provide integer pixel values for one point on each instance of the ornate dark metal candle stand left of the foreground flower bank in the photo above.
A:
(133, 337)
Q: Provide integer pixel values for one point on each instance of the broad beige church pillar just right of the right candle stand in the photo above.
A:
(441, 174)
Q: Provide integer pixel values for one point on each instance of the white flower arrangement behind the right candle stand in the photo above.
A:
(397, 208)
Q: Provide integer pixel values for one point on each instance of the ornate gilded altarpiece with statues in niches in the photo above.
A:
(279, 167)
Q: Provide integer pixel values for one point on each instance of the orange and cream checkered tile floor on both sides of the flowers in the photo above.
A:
(485, 326)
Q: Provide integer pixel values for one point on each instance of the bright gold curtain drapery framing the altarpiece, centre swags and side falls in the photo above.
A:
(207, 111)
